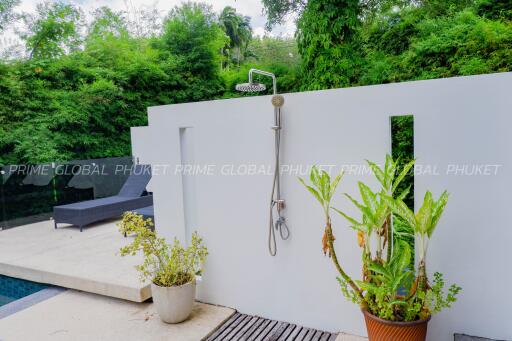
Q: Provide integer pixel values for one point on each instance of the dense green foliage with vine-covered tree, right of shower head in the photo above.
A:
(351, 42)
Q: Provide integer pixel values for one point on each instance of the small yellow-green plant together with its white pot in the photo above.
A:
(172, 269)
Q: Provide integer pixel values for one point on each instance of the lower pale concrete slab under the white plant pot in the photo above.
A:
(75, 315)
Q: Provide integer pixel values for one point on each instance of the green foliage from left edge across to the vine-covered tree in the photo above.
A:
(75, 96)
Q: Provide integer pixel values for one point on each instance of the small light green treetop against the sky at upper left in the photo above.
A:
(53, 30)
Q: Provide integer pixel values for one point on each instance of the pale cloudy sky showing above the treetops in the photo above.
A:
(251, 8)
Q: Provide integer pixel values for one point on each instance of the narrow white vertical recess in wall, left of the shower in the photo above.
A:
(188, 181)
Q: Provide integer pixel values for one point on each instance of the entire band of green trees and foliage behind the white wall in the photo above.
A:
(83, 83)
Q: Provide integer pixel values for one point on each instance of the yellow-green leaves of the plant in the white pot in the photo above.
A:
(165, 265)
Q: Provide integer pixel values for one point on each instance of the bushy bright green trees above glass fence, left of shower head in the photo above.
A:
(81, 103)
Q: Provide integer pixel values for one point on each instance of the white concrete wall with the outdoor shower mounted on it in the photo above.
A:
(339, 127)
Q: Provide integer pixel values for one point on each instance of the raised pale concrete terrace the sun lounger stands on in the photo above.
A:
(87, 261)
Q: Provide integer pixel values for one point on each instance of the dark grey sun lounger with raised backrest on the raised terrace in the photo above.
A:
(129, 198)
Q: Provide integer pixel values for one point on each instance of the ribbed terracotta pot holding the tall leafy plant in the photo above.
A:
(383, 330)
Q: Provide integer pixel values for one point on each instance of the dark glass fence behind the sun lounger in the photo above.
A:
(28, 193)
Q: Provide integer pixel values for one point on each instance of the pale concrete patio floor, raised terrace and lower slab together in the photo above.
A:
(89, 262)
